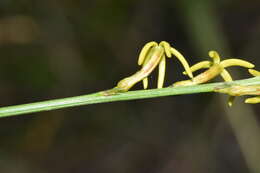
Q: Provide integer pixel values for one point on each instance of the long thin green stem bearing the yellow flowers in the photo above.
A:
(99, 97)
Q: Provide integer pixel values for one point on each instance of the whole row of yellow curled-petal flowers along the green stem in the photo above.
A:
(154, 54)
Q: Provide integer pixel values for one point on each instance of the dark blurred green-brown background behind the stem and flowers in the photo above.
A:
(54, 49)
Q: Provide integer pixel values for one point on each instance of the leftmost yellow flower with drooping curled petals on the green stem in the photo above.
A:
(151, 56)
